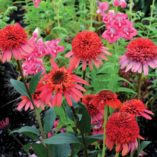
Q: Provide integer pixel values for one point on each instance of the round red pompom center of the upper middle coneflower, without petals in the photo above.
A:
(87, 45)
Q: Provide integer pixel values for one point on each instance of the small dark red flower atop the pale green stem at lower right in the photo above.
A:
(106, 97)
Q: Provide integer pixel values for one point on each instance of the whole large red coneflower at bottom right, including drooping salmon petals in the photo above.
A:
(122, 130)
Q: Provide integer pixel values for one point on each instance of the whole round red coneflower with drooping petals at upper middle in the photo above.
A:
(88, 48)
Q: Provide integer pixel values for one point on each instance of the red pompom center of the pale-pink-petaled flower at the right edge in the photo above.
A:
(141, 50)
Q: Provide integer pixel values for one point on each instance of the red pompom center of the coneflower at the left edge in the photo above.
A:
(12, 37)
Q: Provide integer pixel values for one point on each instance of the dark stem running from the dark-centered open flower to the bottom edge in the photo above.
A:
(82, 134)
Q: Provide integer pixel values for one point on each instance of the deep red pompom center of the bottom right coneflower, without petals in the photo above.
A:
(122, 128)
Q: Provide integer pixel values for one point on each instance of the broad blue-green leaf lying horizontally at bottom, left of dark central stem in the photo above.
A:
(62, 138)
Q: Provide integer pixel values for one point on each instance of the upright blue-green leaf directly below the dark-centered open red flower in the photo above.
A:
(49, 119)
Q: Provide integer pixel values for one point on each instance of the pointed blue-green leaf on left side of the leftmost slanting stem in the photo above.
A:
(19, 86)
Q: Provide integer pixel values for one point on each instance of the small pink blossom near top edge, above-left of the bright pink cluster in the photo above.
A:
(102, 7)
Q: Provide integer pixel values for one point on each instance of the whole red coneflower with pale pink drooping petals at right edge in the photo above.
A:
(141, 53)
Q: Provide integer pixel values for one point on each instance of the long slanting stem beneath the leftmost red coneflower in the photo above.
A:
(37, 114)
